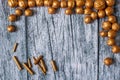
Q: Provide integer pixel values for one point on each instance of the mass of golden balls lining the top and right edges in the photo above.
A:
(93, 9)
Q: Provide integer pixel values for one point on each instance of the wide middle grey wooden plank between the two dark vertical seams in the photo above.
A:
(67, 40)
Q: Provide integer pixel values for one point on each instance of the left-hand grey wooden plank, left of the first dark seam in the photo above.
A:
(8, 69)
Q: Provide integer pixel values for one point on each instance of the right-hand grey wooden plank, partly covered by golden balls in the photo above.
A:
(112, 72)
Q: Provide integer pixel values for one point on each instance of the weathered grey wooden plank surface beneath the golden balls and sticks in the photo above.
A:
(75, 46)
